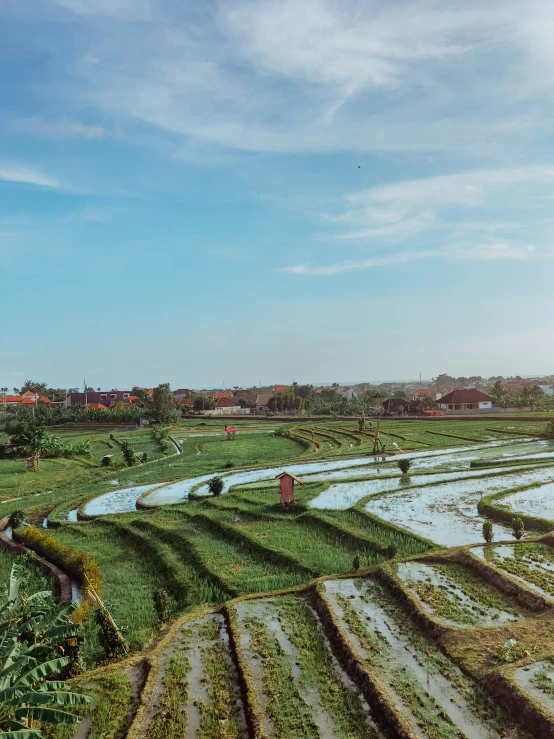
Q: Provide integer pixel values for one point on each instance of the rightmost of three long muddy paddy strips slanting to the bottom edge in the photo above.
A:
(428, 689)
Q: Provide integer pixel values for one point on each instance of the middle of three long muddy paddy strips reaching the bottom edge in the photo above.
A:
(303, 691)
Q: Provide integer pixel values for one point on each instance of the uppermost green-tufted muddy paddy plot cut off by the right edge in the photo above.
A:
(532, 563)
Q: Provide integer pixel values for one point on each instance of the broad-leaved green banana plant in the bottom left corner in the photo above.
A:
(34, 632)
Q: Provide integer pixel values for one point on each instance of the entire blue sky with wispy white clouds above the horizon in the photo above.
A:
(231, 192)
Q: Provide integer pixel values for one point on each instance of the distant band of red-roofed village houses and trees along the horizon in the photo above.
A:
(442, 395)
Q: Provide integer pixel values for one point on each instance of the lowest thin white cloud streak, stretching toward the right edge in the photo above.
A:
(483, 252)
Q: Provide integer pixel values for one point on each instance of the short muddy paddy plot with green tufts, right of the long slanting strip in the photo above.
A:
(455, 595)
